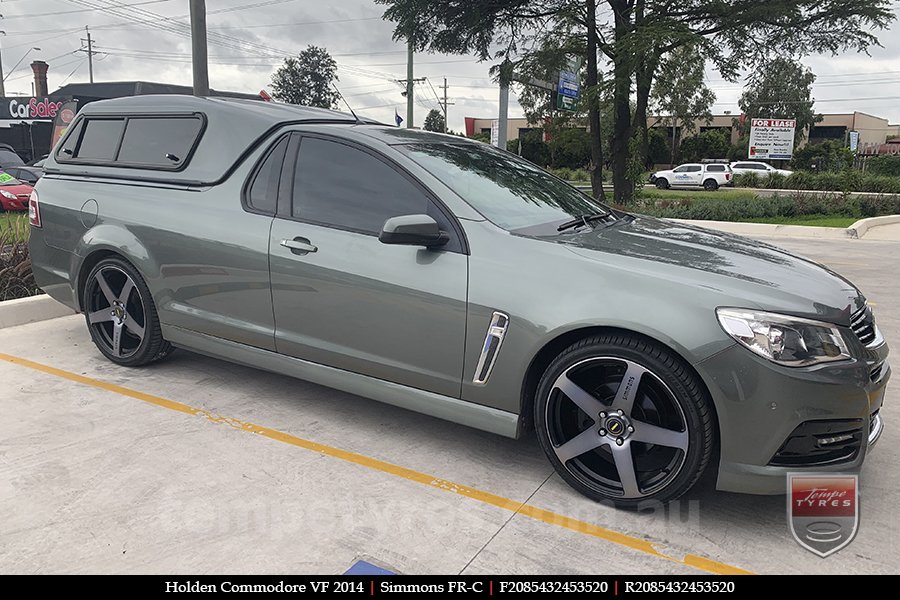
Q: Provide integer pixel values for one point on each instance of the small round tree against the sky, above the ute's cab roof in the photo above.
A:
(307, 79)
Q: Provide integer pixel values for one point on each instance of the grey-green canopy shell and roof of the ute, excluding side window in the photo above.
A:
(234, 126)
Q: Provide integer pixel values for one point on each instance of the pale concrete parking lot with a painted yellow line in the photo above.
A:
(200, 466)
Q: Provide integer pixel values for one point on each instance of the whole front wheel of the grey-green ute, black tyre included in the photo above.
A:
(623, 420)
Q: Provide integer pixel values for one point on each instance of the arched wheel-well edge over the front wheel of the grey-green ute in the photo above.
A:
(552, 348)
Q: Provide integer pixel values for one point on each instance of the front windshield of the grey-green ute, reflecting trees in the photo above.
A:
(509, 191)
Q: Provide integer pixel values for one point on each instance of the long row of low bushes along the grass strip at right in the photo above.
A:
(726, 208)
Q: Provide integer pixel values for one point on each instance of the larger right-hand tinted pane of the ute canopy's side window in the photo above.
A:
(158, 141)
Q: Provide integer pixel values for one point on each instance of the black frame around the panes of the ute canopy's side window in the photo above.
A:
(80, 126)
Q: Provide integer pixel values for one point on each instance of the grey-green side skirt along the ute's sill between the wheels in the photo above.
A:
(477, 416)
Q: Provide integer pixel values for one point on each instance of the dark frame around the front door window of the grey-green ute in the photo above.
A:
(458, 242)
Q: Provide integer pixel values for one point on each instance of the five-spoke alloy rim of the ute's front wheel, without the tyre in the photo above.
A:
(615, 426)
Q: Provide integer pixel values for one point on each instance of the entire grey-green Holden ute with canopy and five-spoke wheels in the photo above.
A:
(451, 278)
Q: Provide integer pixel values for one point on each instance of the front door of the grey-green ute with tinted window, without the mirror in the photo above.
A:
(344, 299)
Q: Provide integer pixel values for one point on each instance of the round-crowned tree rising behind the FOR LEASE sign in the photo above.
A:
(781, 89)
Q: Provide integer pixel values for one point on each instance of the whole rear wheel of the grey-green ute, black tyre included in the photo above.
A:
(120, 315)
